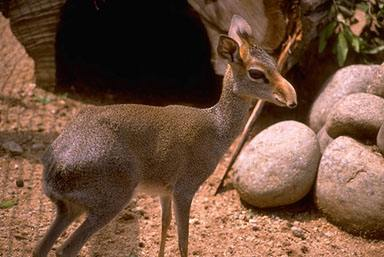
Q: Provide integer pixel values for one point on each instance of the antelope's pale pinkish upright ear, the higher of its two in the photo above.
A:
(240, 30)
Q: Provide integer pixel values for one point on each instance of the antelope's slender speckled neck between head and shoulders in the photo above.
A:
(231, 112)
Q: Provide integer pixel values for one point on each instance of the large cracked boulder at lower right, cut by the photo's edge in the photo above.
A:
(350, 187)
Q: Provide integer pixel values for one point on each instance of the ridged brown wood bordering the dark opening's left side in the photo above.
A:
(34, 25)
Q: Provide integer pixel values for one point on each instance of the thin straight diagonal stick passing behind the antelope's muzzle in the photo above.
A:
(257, 110)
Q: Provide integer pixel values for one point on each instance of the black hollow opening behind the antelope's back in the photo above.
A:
(151, 52)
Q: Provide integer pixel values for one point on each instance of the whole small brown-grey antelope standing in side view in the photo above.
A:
(107, 152)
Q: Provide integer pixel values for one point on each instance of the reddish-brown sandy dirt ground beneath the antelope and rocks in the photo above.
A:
(219, 226)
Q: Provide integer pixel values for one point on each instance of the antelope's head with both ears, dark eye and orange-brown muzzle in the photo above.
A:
(254, 71)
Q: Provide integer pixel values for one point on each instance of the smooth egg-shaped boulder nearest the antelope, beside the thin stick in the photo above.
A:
(278, 167)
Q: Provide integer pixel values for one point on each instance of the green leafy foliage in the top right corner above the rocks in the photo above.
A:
(356, 25)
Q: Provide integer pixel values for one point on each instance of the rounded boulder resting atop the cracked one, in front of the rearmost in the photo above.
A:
(357, 115)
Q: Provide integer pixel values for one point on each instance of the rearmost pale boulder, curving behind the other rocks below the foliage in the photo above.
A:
(346, 81)
